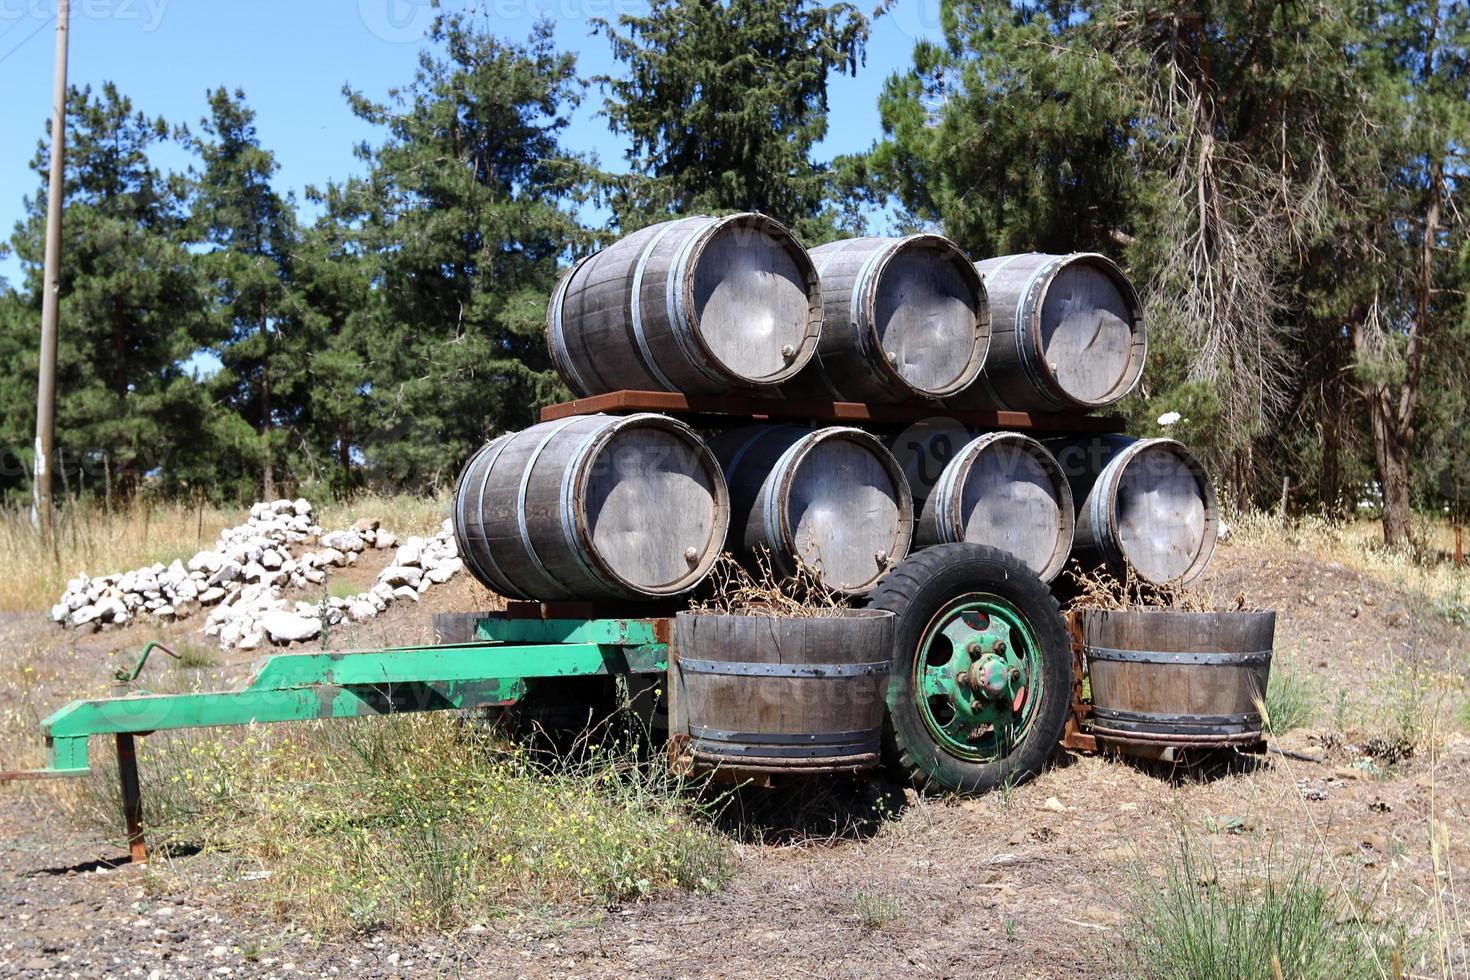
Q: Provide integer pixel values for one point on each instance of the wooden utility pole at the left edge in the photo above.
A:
(52, 289)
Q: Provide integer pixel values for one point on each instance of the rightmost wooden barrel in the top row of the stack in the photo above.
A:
(1068, 334)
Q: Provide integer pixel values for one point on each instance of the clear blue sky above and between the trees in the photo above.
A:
(295, 58)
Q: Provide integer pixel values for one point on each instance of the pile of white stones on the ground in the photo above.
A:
(245, 577)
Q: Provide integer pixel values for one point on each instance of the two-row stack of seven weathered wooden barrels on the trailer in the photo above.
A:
(639, 508)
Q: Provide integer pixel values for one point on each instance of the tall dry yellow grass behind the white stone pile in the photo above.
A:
(142, 533)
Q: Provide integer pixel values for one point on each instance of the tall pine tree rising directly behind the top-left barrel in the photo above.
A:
(724, 104)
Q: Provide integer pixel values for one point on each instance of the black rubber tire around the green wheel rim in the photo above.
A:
(915, 591)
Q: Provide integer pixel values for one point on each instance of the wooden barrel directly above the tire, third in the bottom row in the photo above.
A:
(1002, 490)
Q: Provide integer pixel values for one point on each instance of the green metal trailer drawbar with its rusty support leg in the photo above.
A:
(492, 671)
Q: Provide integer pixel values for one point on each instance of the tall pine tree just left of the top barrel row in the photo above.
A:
(461, 226)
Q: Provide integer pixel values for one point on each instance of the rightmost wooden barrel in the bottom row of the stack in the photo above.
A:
(1147, 506)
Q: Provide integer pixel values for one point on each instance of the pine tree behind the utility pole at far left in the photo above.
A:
(132, 311)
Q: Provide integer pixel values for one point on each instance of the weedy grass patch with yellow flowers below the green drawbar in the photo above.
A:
(418, 824)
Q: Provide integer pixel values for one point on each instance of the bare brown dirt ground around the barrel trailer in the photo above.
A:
(1025, 884)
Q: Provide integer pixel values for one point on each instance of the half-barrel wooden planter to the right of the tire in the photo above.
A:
(1168, 677)
